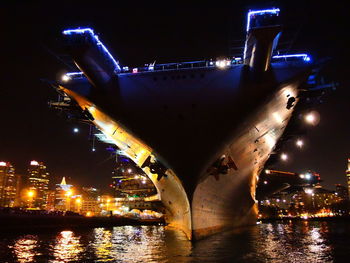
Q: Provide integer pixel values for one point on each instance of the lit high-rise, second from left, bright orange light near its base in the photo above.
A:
(38, 180)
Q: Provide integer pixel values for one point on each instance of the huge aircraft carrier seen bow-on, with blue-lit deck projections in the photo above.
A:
(203, 130)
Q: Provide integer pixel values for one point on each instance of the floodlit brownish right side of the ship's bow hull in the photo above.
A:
(227, 199)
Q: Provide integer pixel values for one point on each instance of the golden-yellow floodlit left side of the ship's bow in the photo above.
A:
(169, 188)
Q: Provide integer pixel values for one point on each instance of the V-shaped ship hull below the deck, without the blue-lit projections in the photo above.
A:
(213, 134)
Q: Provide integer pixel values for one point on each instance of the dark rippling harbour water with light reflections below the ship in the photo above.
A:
(269, 242)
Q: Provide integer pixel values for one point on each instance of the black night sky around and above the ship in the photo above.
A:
(141, 33)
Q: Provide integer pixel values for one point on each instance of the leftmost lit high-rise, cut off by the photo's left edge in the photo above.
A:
(8, 185)
